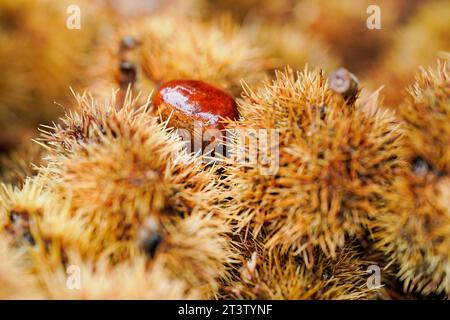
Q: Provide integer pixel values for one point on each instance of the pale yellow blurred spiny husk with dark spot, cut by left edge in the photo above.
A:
(41, 222)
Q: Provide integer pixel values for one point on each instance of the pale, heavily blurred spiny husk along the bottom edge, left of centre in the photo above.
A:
(128, 280)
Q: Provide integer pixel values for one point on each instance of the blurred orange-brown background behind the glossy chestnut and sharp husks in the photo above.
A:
(41, 58)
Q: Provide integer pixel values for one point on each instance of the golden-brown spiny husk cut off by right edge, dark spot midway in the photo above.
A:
(414, 227)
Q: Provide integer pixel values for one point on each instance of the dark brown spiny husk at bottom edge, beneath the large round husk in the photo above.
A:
(276, 276)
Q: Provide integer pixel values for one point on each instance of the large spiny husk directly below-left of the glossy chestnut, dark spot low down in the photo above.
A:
(129, 180)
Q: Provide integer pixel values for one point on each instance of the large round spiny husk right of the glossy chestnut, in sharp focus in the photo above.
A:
(328, 172)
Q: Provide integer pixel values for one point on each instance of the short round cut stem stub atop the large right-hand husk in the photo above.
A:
(346, 84)
